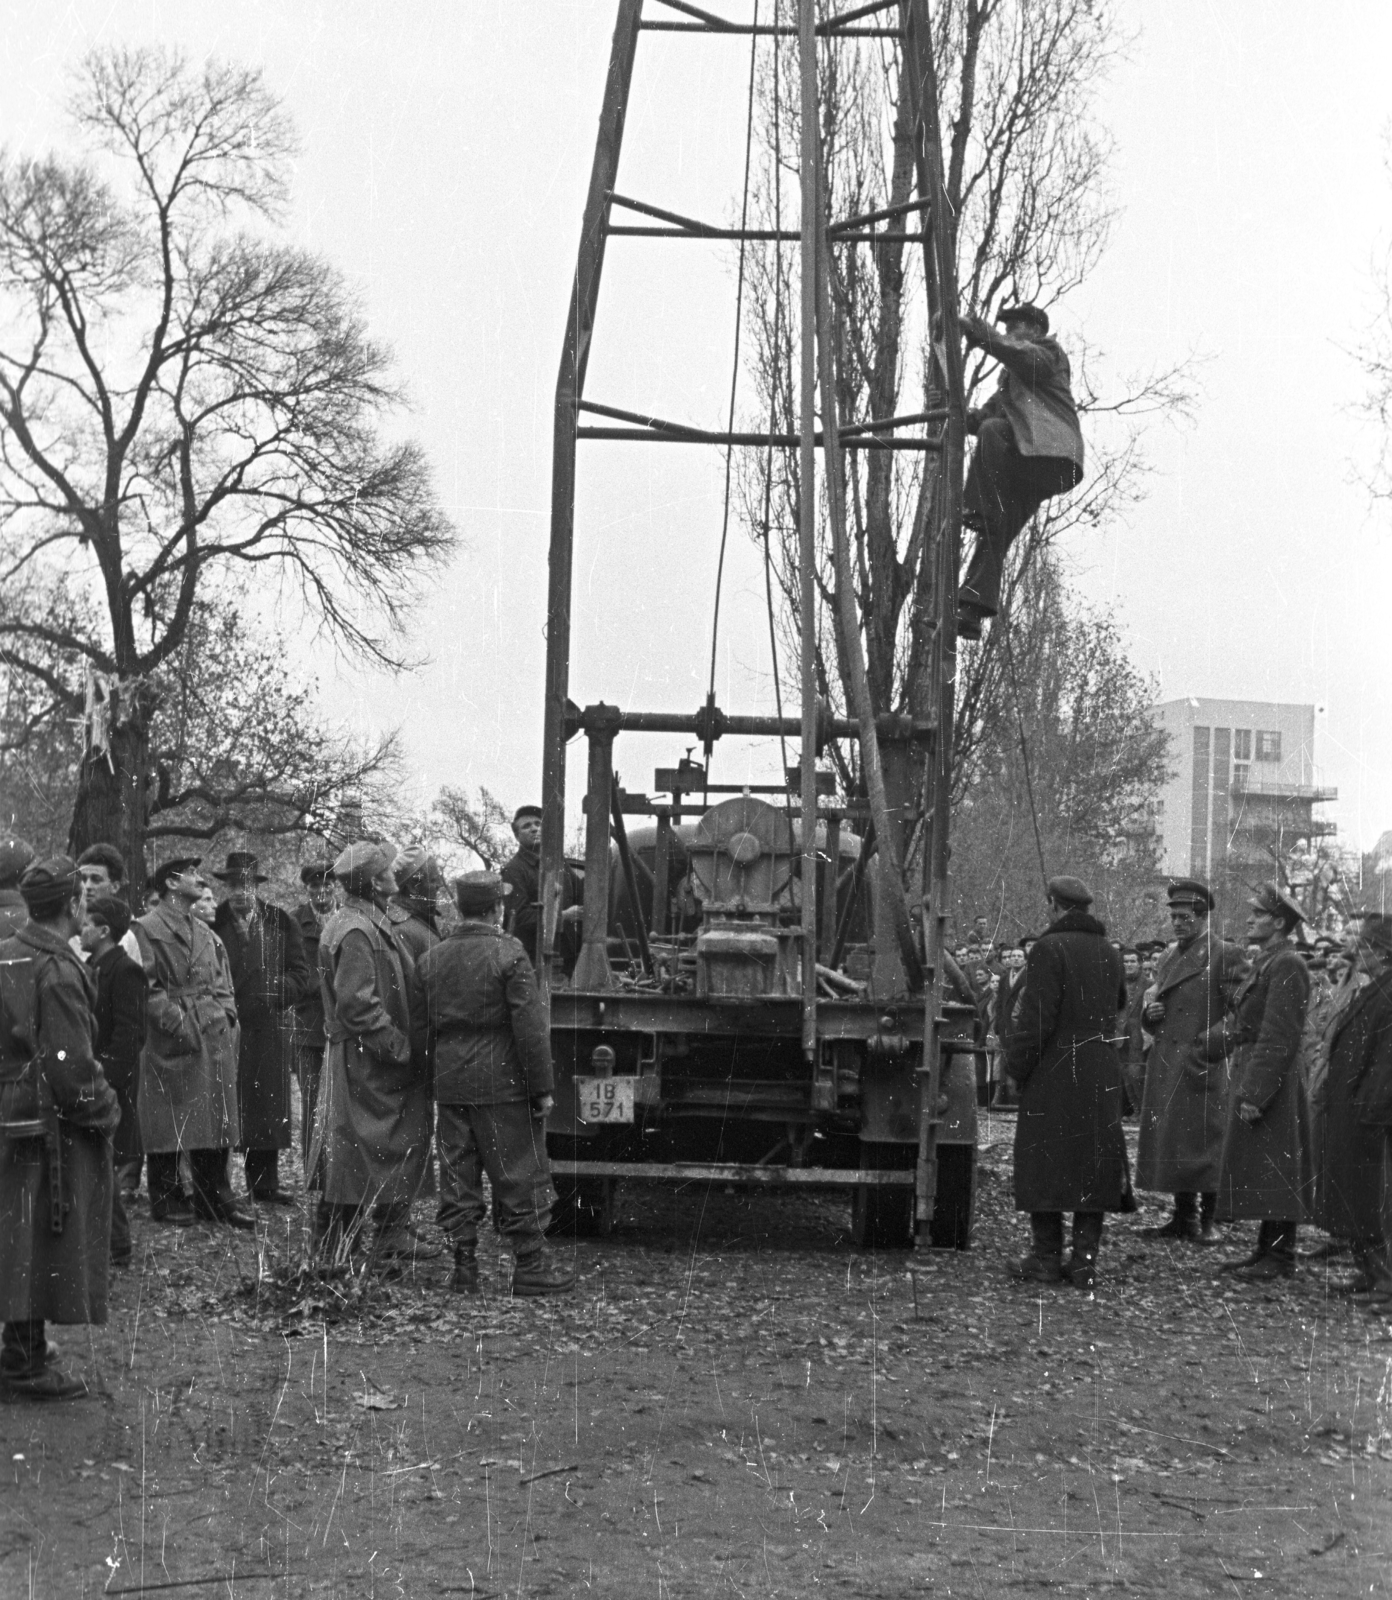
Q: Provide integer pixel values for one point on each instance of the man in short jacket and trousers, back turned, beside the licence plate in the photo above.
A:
(494, 1084)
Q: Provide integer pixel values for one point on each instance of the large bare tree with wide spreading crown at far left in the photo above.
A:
(185, 396)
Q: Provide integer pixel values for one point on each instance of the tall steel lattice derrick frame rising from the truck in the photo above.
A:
(937, 433)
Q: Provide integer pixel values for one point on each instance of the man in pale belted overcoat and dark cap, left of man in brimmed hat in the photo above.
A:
(188, 1092)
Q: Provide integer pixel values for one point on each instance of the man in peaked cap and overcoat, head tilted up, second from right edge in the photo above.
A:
(1266, 1169)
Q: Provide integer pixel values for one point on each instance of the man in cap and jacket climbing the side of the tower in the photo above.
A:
(1028, 449)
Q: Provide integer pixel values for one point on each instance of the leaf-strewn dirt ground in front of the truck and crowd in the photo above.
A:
(734, 1402)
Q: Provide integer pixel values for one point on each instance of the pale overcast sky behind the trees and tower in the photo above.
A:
(446, 153)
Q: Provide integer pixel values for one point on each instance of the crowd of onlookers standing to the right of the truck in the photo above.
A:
(1260, 1073)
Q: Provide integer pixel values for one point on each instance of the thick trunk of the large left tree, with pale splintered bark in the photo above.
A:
(113, 785)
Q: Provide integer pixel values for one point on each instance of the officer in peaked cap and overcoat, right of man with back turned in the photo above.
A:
(1185, 1102)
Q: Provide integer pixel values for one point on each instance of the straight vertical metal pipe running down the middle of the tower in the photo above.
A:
(807, 519)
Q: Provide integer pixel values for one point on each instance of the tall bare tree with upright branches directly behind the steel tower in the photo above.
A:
(1026, 182)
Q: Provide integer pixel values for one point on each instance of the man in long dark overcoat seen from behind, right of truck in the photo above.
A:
(1070, 1148)
